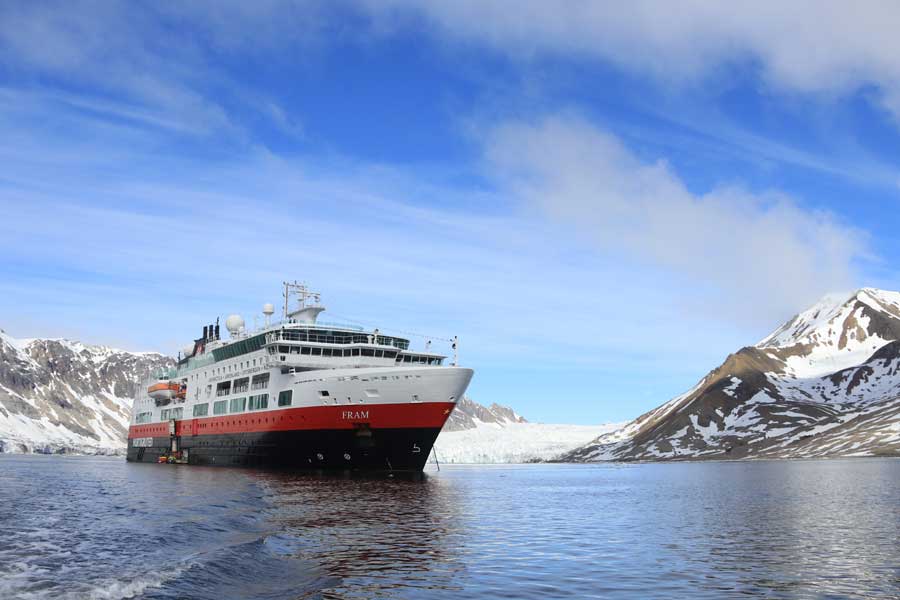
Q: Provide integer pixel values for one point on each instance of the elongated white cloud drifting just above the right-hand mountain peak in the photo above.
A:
(757, 256)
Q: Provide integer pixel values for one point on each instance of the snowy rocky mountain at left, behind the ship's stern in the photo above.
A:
(65, 396)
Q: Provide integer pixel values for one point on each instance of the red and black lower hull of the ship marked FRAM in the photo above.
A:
(380, 437)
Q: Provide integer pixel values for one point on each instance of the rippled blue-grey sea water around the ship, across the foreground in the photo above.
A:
(101, 528)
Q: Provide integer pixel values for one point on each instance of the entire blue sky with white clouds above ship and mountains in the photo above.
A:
(602, 202)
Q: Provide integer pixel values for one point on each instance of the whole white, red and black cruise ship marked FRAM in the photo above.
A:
(298, 393)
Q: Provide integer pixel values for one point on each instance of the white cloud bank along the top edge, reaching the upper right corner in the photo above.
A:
(829, 46)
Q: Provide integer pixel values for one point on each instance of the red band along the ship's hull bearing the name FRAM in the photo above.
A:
(347, 416)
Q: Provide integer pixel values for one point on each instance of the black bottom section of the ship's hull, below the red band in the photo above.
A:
(404, 449)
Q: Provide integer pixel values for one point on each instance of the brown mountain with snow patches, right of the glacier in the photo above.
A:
(826, 383)
